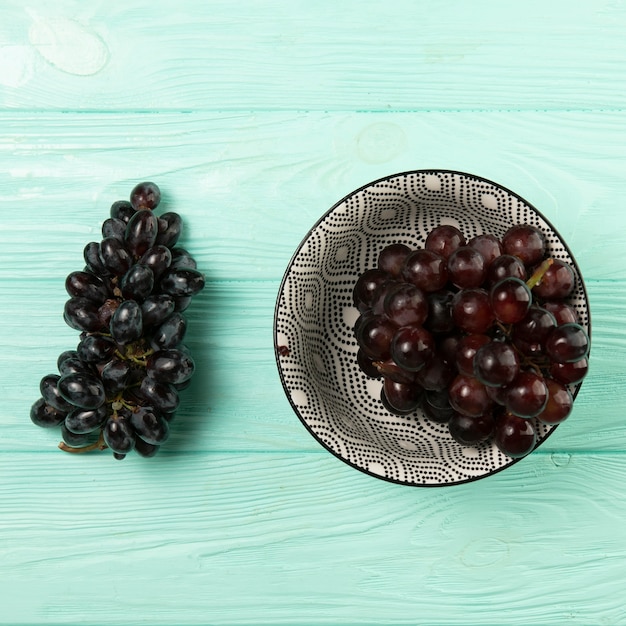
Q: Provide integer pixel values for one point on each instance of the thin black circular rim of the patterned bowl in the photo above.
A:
(277, 354)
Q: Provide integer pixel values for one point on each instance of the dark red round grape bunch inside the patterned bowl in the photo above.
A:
(477, 334)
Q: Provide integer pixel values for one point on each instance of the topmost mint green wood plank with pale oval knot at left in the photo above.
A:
(322, 56)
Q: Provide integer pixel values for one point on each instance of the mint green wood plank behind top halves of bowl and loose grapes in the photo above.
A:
(250, 185)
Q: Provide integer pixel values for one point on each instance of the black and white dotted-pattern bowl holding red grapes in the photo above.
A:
(314, 318)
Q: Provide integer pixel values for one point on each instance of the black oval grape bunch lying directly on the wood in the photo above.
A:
(119, 389)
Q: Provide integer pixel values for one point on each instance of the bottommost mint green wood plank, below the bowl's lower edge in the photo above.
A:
(284, 539)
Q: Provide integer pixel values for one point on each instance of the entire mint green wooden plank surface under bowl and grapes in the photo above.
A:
(255, 118)
